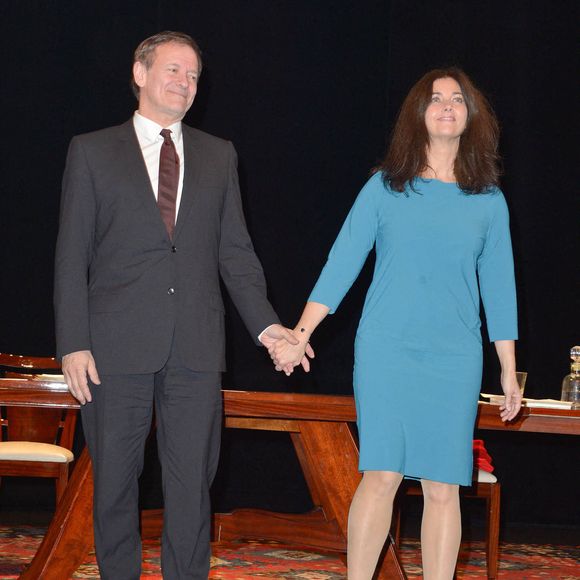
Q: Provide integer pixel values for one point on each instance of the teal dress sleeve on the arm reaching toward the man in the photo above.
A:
(351, 247)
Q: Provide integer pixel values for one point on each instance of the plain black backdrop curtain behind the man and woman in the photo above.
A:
(308, 91)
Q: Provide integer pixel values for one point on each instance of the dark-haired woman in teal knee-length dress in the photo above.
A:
(439, 224)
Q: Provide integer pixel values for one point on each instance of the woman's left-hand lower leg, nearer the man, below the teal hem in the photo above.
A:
(369, 521)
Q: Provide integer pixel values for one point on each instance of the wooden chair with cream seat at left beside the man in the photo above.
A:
(35, 442)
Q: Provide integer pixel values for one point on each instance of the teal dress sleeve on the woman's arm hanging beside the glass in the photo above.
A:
(495, 269)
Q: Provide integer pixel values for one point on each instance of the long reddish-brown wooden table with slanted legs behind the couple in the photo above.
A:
(320, 429)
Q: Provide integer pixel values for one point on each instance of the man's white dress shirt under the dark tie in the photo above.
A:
(150, 141)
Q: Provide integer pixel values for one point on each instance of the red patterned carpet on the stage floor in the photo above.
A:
(243, 561)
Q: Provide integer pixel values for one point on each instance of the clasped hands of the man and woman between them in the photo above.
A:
(286, 350)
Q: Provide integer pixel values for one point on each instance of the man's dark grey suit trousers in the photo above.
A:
(188, 409)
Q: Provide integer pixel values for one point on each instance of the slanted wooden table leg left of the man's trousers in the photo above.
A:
(70, 534)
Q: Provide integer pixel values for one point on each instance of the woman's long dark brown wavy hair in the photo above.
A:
(476, 166)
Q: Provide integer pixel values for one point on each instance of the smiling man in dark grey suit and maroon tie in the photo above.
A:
(151, 218)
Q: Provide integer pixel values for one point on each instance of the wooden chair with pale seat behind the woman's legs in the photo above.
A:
(486, 487)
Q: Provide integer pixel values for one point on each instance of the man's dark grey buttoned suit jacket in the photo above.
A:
(123, 289)
